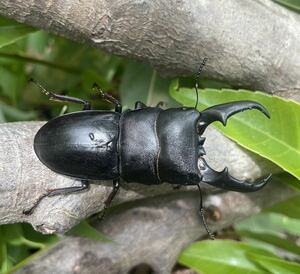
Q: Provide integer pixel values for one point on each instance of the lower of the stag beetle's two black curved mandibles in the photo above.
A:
(224, 180)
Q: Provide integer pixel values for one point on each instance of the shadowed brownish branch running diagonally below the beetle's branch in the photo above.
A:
(152, 231)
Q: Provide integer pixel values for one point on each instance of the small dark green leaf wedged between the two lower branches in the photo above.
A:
(84, 229)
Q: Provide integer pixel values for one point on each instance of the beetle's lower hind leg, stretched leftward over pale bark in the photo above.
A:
(59, 191)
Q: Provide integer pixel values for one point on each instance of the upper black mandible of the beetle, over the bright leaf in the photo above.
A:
(223, 111)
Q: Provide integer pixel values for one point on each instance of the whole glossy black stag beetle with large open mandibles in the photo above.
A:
(147, 145)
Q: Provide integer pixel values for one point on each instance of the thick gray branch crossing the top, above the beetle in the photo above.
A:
(249, 44)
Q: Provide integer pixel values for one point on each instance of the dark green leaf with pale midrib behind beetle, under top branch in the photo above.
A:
(141, 83)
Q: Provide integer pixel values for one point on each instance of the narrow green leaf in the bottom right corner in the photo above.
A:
(275, 265)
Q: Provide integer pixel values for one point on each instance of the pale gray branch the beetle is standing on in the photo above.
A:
(24, 179)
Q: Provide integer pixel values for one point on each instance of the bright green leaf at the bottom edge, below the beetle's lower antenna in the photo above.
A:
(222, 256)
